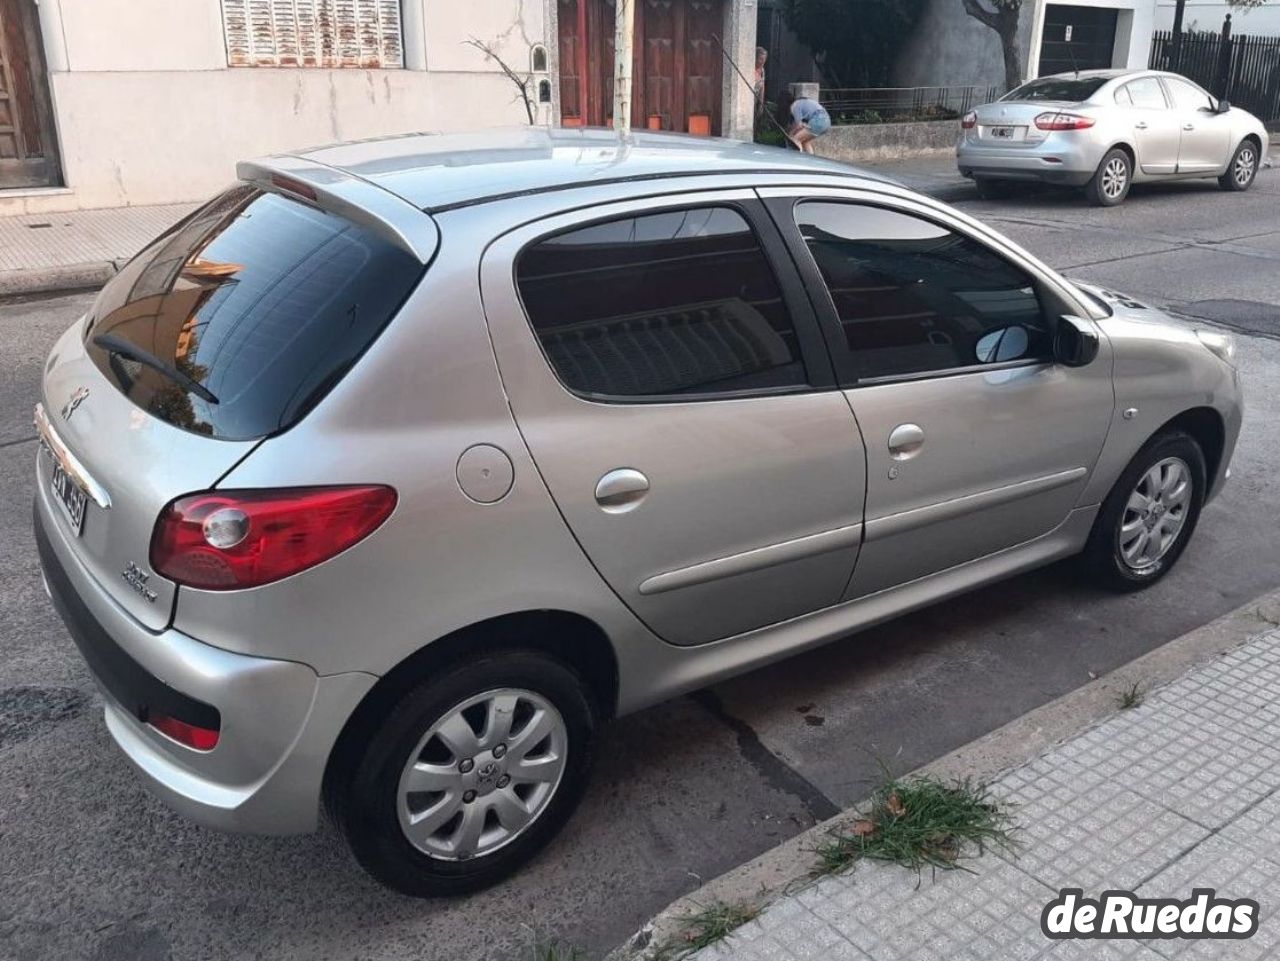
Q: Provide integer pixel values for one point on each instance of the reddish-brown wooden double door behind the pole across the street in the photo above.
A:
(676, 71)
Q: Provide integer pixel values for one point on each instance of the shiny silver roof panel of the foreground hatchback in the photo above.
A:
(440, 172)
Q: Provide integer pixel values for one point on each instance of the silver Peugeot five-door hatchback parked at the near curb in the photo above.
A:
(391, 474)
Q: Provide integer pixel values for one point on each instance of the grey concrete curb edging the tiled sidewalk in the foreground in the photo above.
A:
(787, 868)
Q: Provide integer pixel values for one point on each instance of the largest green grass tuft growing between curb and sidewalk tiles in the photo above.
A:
(921, 823)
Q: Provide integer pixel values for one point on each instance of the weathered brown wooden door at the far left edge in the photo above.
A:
(29, 157)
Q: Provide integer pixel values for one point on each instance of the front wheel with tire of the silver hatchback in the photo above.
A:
(1133, 544)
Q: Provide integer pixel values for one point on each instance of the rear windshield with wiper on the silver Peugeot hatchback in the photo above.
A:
(245, 315)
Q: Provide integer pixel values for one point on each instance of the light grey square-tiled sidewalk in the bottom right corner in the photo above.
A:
(1177, 794)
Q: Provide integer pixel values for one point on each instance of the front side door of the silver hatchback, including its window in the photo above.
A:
(943, 337)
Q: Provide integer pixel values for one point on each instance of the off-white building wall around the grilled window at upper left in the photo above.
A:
(148, 111)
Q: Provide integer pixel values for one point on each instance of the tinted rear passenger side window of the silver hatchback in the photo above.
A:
(682, 303)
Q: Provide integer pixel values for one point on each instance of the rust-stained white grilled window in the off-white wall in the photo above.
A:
(314, 34)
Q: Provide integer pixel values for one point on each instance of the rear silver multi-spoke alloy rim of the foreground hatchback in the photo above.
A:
(482, 775)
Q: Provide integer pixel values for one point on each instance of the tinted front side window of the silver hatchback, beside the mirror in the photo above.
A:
(915, 298)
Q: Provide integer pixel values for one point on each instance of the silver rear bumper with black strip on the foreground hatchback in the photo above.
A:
(278, 720)
